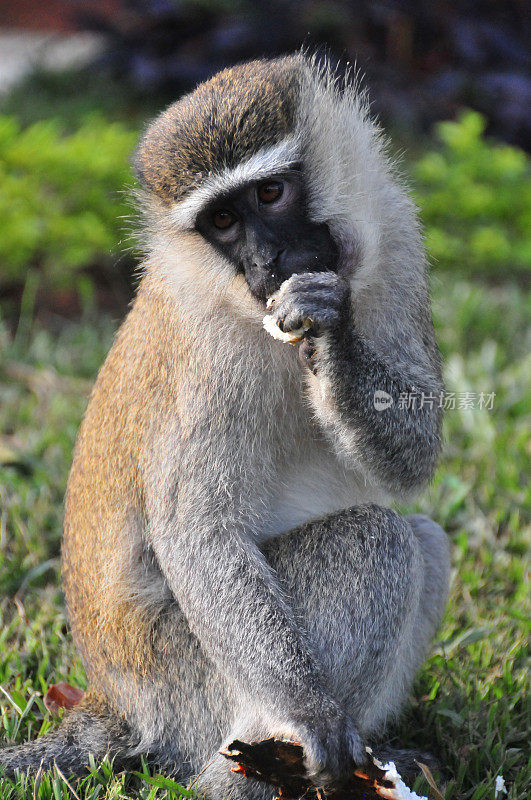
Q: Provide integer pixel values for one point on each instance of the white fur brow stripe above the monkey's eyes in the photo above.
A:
(266, 162)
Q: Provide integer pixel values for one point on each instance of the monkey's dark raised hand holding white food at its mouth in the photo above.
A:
(308, 305)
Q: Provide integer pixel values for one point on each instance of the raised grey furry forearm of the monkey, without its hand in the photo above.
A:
(400, 442)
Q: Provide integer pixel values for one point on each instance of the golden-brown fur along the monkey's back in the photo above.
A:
(136, 386)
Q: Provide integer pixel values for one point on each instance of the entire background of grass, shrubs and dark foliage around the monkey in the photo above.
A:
(67, 261)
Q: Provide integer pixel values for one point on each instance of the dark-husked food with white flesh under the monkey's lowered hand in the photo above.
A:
(281, 764)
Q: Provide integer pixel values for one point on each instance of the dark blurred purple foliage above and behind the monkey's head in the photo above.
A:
(422, 60)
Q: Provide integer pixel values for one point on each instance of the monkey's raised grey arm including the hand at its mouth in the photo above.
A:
(399, 443)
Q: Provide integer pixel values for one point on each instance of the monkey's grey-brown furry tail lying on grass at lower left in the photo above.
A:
(92, 727)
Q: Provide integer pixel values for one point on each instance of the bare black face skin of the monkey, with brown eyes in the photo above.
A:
(265, 231)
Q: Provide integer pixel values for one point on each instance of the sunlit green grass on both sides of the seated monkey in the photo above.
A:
(469, 703)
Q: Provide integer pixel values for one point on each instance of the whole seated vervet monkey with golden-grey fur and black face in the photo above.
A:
(230, 566)
